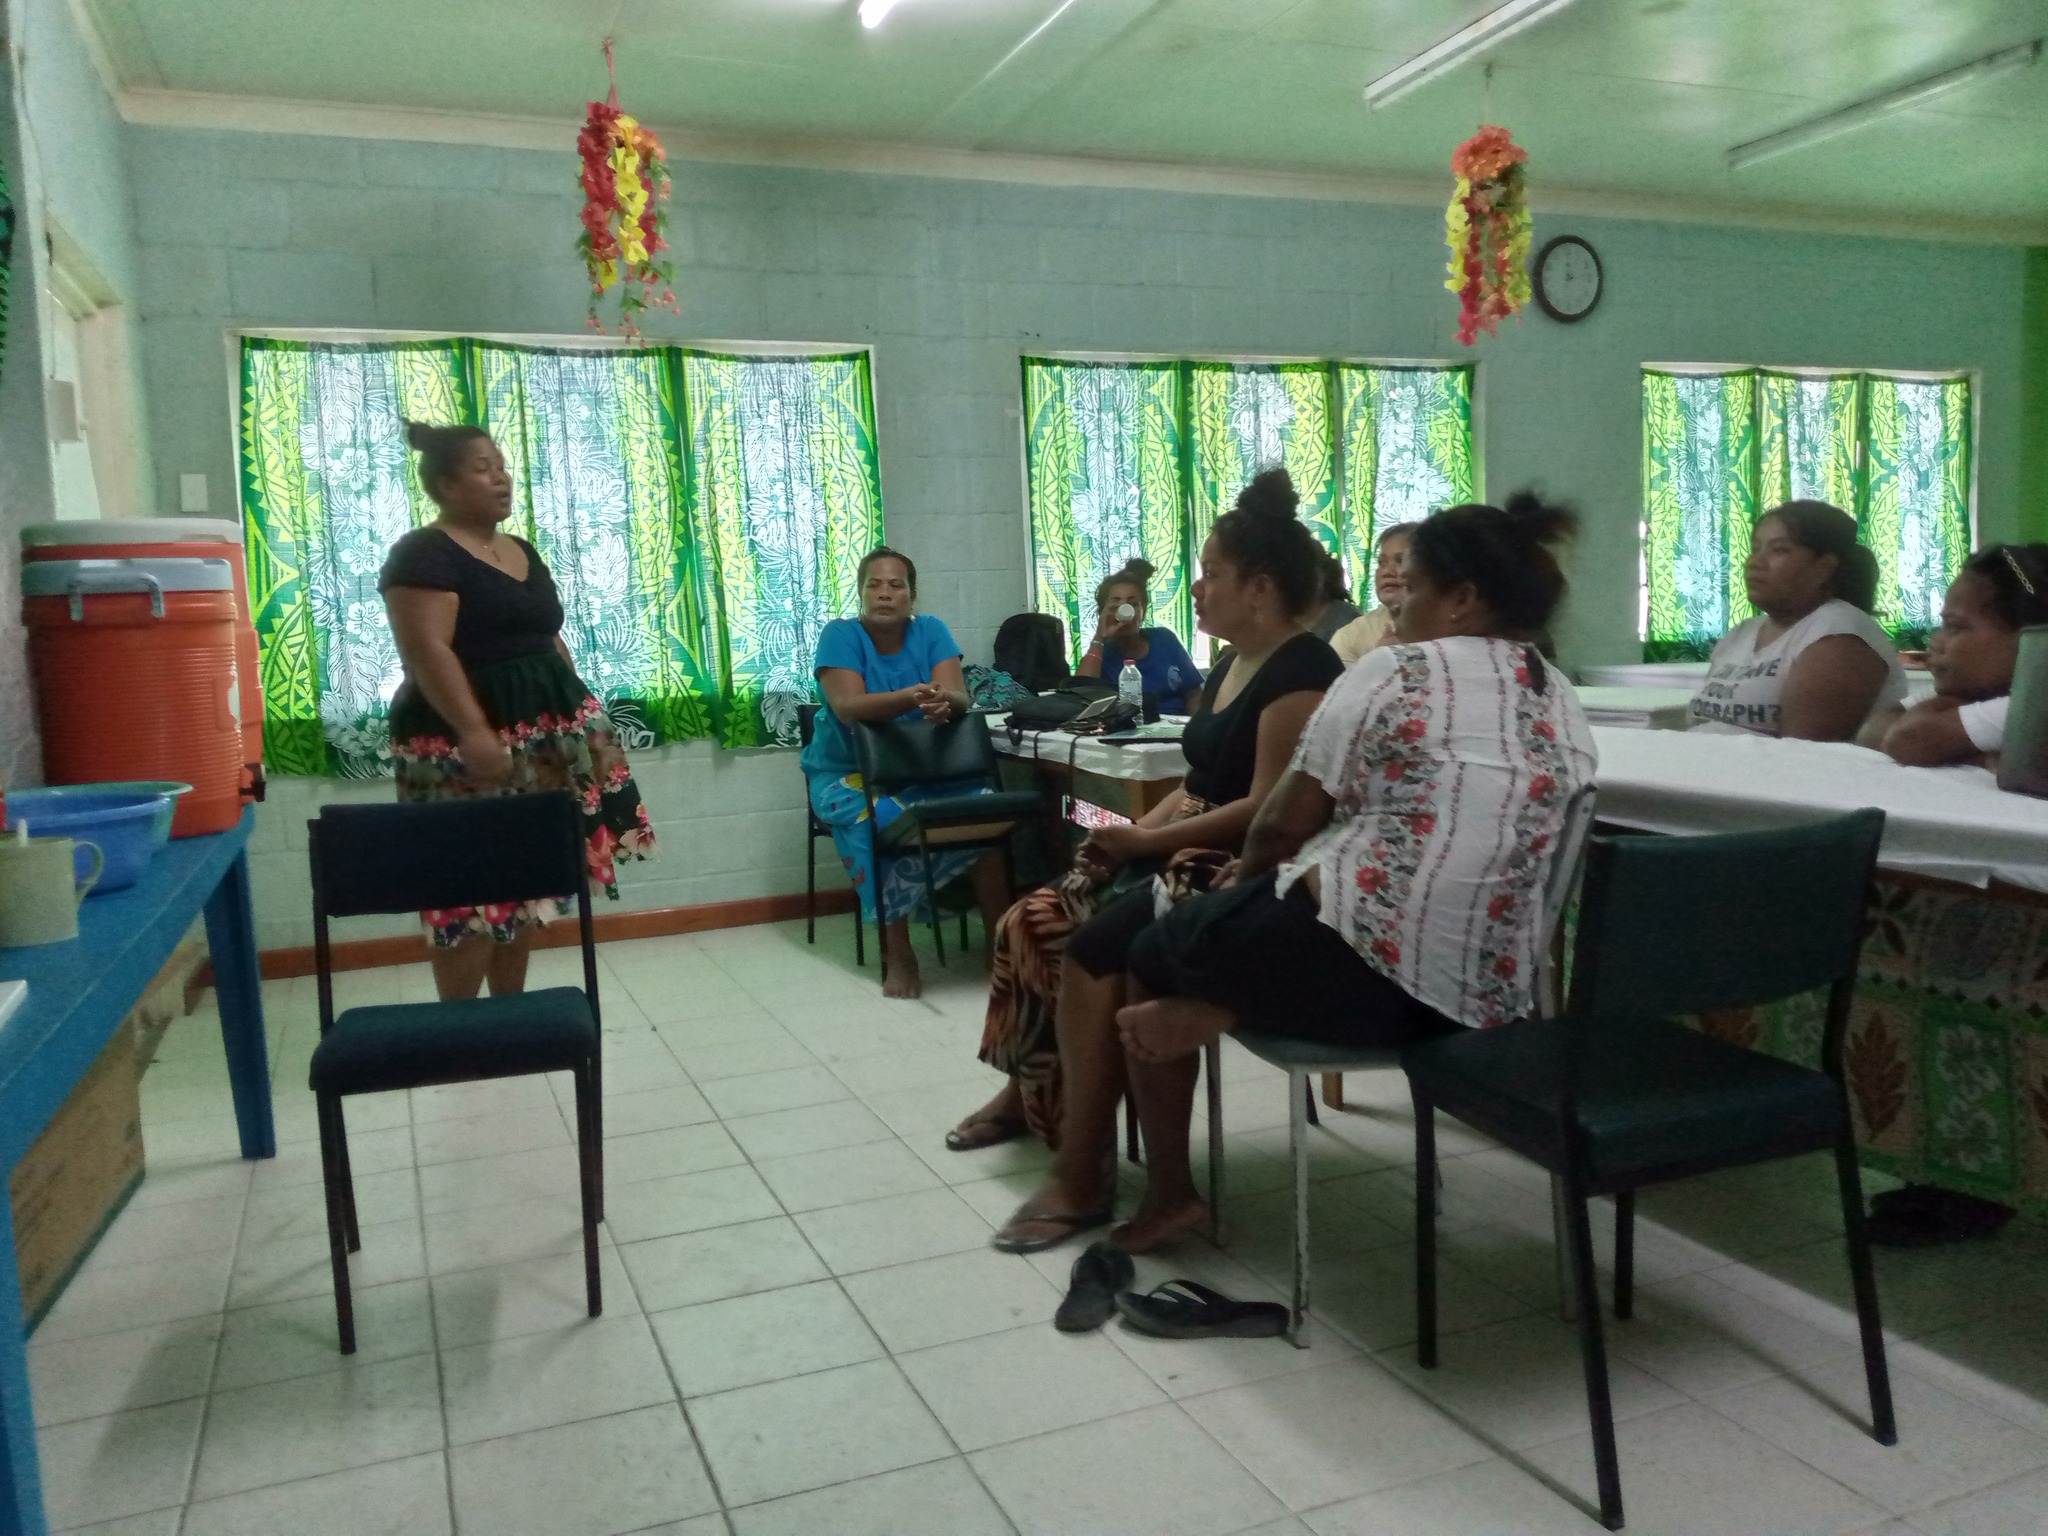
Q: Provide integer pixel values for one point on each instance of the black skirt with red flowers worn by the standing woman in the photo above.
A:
(560, 738)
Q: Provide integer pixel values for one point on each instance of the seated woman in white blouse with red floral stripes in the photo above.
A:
(1392, 884)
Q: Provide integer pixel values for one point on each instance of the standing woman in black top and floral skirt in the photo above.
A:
(493, 703)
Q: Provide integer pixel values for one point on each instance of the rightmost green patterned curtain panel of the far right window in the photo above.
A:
(1916, 513)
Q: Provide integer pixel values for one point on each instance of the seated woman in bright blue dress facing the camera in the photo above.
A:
(890, 665)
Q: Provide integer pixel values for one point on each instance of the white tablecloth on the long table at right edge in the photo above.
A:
(1951, 824)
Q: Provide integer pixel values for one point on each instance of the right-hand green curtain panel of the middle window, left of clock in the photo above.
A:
(1408, 452)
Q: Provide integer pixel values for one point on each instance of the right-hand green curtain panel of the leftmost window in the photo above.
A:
(785, 499)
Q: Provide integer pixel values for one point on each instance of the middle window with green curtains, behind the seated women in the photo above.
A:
(1136, 458)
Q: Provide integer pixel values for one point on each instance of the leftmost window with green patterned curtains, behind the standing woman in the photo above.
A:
(701, 513)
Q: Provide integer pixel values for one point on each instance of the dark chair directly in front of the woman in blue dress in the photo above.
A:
(976, 812)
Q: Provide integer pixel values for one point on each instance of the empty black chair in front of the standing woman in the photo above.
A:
(429, 857)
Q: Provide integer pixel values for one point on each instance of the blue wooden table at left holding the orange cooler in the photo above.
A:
(79, 994)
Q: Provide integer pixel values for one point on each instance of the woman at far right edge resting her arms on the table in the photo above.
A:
(1998, 593)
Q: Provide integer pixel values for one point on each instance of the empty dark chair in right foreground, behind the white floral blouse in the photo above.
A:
(1613, 1095)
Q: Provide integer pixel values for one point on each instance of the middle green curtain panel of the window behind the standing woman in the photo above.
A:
(591, 439)
